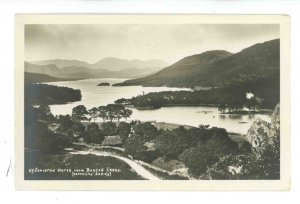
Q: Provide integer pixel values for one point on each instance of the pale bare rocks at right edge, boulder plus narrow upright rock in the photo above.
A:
(261, 131)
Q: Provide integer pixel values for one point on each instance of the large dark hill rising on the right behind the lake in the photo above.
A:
(217, 68)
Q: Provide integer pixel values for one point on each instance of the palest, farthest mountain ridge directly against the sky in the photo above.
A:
(110, 64)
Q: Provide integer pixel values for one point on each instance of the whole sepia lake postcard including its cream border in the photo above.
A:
(149, 102)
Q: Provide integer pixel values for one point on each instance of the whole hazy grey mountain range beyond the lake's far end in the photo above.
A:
(108, 67)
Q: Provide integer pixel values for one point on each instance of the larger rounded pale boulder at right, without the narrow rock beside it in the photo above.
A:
(259, 132)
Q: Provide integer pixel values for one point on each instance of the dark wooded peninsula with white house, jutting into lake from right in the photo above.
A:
(228, 98)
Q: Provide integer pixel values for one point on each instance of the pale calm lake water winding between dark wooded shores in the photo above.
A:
(94, 96)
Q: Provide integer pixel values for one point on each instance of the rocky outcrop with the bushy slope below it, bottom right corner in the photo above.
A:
(263, 164)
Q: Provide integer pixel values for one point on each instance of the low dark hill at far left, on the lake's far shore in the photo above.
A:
(30, 78)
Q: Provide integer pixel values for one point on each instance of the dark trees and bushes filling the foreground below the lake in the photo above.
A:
(204, 151)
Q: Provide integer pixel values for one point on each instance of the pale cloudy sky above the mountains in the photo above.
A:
(169, 43)
